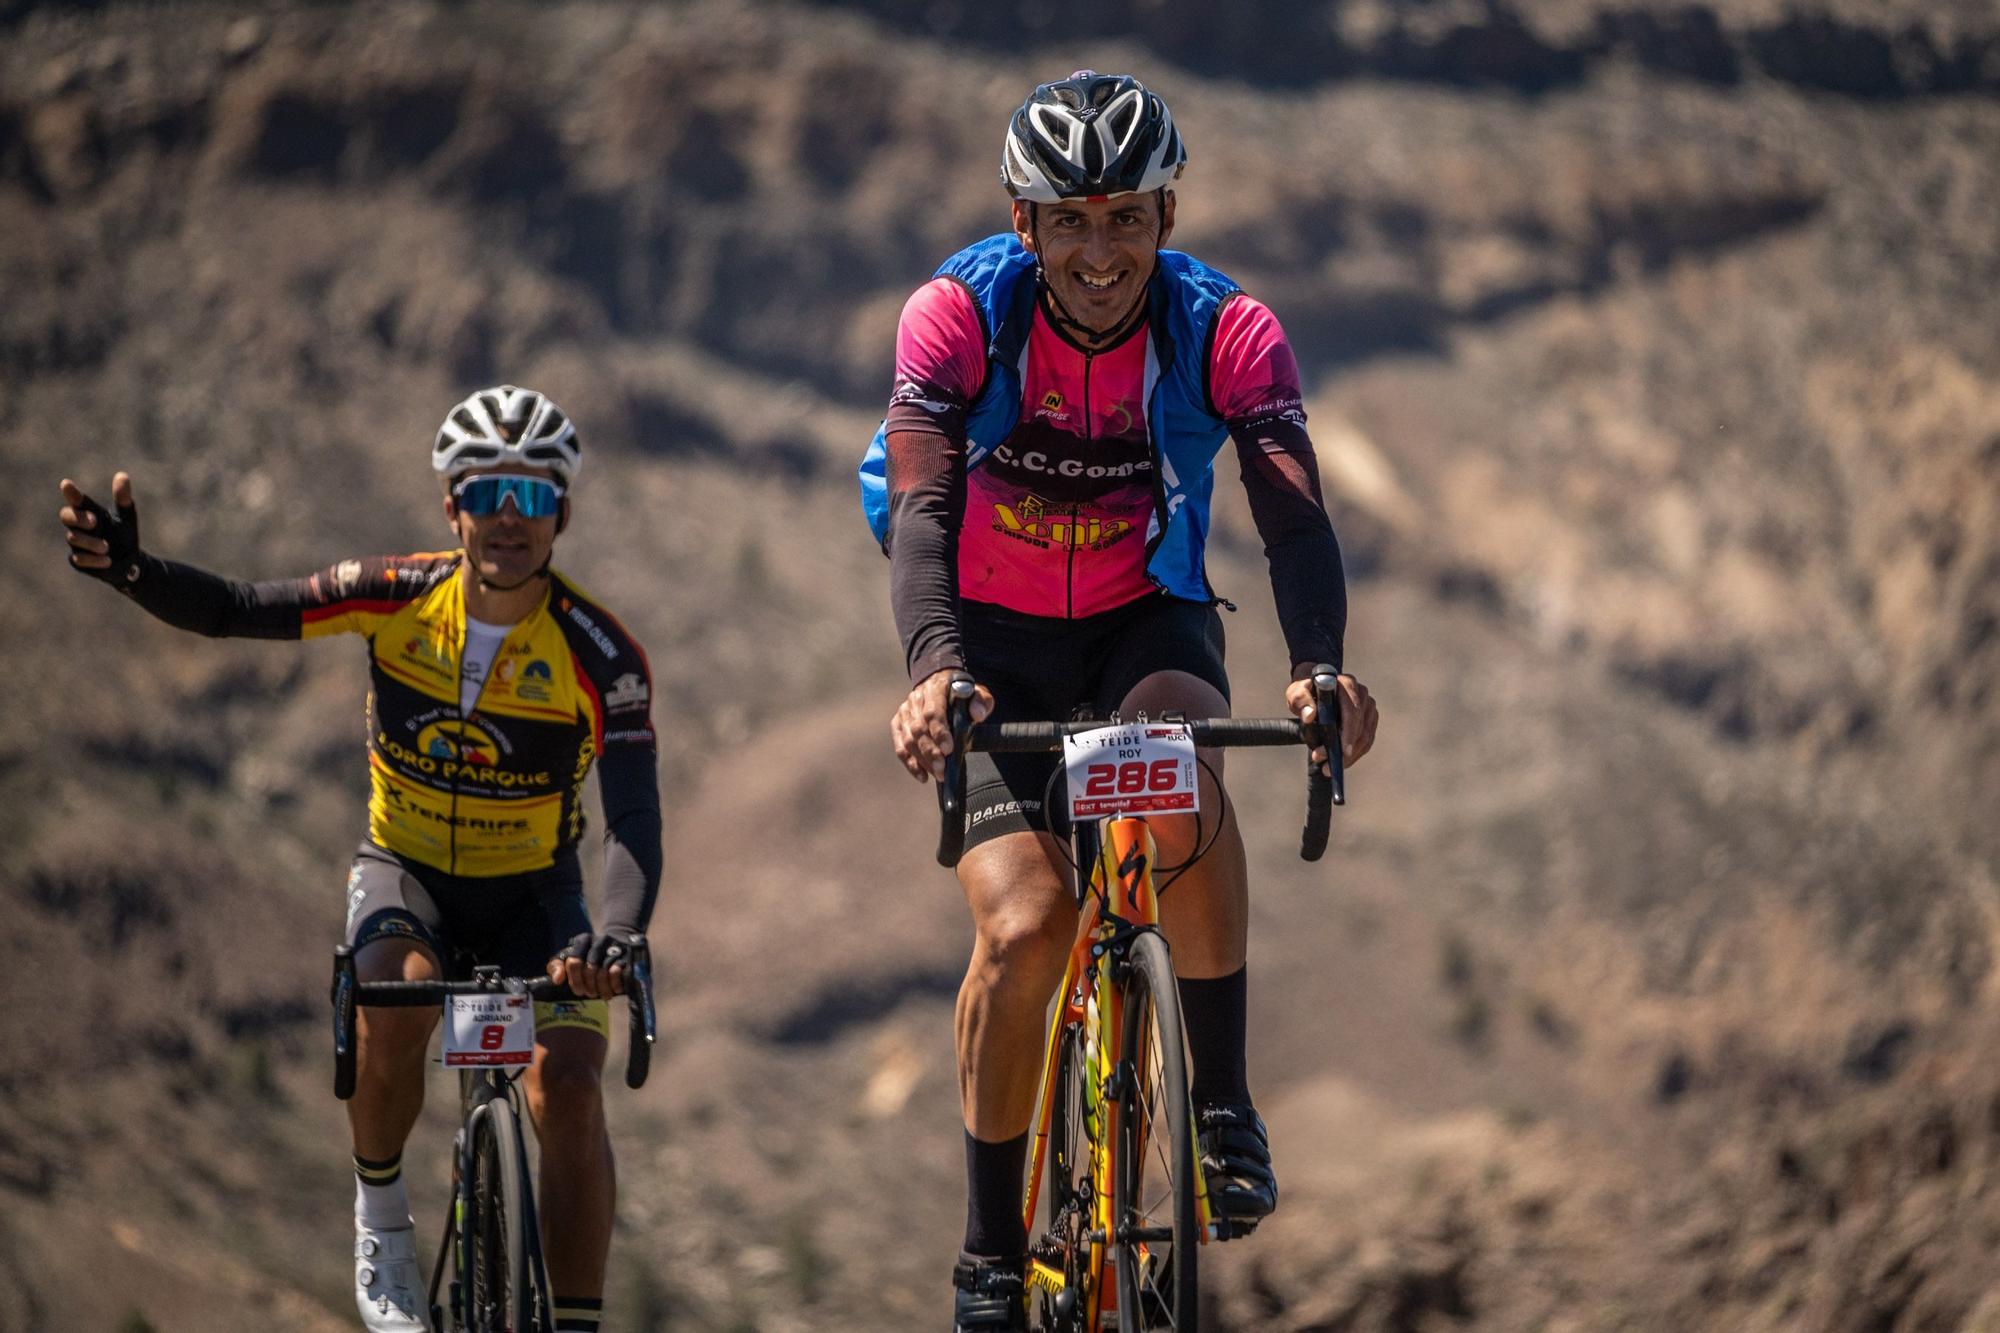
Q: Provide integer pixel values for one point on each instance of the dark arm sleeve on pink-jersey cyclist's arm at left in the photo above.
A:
(927, 501)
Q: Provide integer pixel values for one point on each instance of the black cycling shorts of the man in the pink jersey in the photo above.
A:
(1047, 672)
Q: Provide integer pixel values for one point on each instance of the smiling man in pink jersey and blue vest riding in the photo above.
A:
(1041, 485)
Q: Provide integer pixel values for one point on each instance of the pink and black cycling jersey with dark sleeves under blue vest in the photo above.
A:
(1057, 517)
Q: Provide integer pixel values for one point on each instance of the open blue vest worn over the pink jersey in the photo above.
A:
(1185, 427)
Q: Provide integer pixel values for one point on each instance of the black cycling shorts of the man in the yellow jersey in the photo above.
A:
(513, 922)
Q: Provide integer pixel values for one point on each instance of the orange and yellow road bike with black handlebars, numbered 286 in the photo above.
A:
(1115, 1206)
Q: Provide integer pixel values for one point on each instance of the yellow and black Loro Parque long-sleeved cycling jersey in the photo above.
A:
(483, 794)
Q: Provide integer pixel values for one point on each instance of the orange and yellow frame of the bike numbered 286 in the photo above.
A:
(1119, 902)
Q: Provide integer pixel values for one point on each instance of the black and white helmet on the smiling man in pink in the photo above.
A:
(1091, 135)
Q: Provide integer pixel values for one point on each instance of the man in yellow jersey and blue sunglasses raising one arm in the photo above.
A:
(497, 686)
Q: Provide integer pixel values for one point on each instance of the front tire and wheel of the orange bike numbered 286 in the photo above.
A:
(1155, 1218)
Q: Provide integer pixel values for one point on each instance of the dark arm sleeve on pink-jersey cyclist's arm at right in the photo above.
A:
(1283, 483)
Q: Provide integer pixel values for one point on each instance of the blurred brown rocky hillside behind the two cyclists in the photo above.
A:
(1651, 355)
